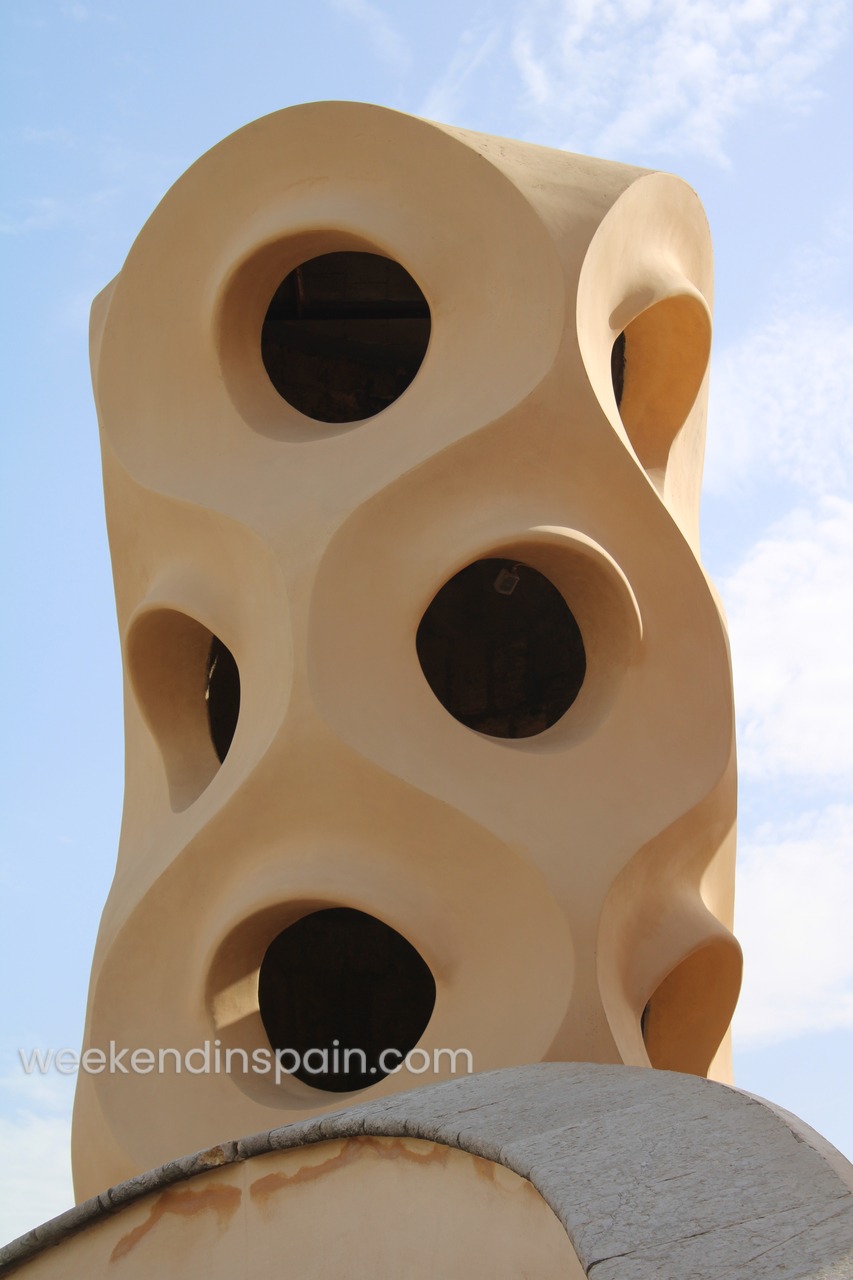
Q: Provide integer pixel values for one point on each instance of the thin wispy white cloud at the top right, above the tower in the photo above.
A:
(610, 76)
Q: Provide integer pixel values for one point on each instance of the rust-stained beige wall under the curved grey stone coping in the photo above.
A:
(362, 1208)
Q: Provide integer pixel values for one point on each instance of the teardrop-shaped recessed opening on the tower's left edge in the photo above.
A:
(172, 661)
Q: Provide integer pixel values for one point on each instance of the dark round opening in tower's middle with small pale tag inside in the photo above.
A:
(501, 650)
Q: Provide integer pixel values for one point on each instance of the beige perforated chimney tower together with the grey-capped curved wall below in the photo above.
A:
(428, 843)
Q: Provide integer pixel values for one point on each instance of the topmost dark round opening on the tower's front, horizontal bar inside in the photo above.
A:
(344, 336)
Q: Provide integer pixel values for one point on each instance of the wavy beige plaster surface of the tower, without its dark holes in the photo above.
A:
(555, 885)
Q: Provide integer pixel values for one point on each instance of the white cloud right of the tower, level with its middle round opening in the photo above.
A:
(791, 623)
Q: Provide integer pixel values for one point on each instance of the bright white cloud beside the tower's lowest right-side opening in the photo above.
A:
(795, 894)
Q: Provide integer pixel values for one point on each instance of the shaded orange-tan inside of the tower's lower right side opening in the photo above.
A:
(687, 1017)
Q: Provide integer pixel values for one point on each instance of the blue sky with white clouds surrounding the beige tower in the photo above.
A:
(106, 104)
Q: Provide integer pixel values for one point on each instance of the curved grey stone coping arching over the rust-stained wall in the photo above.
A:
(653, 1174)
